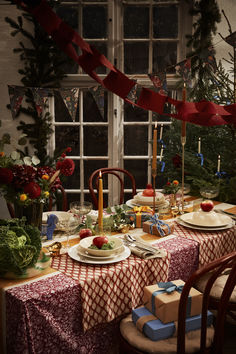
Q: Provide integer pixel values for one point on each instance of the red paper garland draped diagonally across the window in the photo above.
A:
(202, 113)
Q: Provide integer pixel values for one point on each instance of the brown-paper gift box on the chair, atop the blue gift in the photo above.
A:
(165, 304)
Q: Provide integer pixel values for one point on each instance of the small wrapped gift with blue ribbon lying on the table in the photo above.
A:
(158, 227)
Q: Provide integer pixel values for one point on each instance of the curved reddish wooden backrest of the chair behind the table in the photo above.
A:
(115, 171)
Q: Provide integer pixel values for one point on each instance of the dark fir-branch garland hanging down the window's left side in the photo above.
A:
(42, 67)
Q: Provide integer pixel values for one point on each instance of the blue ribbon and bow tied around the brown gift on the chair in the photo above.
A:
(168, 288)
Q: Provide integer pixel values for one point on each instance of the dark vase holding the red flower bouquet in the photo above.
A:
(32, 212)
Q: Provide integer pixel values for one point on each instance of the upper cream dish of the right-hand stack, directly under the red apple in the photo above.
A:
(204, 219)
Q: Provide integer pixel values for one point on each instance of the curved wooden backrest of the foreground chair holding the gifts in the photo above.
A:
(214, 269)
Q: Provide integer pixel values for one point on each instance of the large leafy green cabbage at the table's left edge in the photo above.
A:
(20, 246)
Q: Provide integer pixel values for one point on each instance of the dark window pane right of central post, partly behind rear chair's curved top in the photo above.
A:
(139, 169)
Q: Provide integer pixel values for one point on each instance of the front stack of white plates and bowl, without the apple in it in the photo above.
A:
(83, 253)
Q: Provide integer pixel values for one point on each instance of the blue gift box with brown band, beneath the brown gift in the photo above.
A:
(156, 330)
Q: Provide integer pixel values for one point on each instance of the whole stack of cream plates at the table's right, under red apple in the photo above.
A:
(209, 221)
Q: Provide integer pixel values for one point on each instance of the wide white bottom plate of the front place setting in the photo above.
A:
(73, 253)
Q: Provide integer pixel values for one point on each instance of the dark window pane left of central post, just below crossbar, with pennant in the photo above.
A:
(95, 105)
